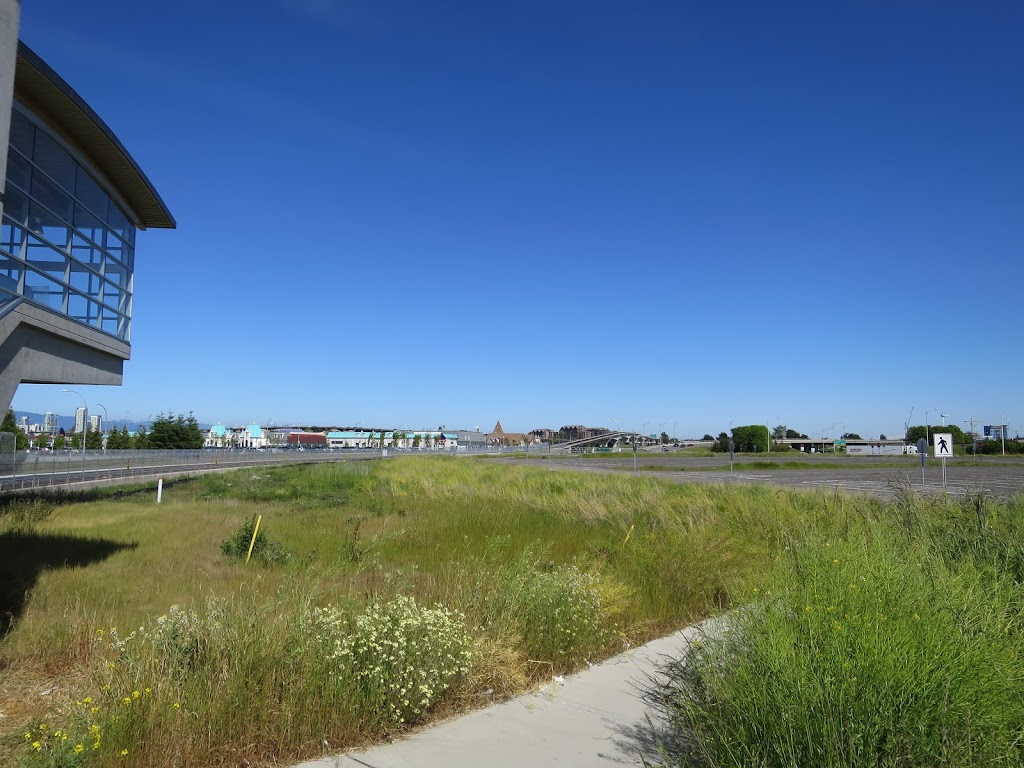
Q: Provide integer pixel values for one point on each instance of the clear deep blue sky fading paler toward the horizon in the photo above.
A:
(410, 214)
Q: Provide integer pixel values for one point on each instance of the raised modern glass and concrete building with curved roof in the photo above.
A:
(73, 202)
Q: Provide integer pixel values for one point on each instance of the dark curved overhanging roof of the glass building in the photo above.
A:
(45, 89)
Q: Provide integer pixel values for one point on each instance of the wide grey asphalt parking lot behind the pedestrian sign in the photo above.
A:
(875, 476)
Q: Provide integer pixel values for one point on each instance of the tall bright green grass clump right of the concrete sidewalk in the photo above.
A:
(892, 641)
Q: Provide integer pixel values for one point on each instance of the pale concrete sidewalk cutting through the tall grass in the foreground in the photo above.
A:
(598, 717)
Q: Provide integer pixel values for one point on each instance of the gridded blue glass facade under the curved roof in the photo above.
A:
(66, 244)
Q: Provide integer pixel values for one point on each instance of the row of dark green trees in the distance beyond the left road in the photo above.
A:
(168, 432)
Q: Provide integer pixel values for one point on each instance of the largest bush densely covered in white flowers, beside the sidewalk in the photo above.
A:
(402, 656)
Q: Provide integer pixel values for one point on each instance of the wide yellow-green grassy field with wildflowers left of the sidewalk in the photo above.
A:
(390, 593)
